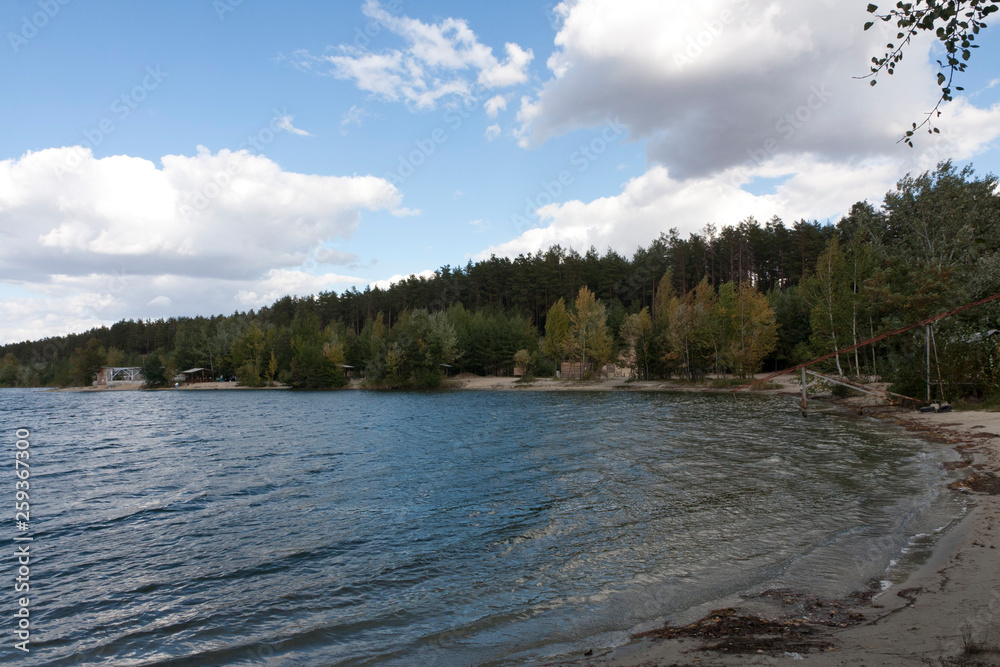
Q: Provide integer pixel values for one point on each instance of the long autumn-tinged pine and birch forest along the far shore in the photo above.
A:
(733, 299)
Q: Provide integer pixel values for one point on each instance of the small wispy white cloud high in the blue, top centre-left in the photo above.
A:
(441, 60)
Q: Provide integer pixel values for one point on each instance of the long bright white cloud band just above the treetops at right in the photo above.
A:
(817, 187)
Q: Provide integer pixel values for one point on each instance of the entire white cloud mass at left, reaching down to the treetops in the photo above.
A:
(101, 239)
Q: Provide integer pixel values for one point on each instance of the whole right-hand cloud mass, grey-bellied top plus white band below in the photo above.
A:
(726, 92)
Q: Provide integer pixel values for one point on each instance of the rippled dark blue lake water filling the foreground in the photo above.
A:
(446, 528)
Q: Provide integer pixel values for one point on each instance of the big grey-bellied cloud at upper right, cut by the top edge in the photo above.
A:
(708, 84)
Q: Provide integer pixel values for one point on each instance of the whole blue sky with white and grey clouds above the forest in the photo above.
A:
(203, 157)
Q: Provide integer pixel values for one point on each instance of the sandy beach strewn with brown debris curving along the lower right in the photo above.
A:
(946, 611)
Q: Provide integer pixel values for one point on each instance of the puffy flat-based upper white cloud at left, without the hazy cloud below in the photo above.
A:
(209, 214)
